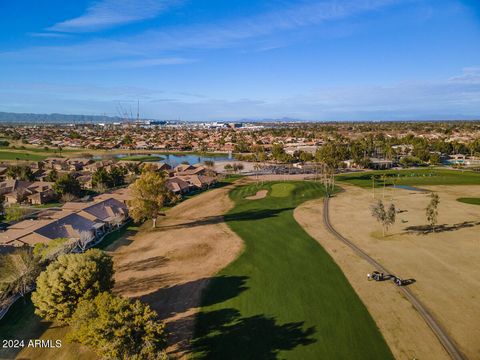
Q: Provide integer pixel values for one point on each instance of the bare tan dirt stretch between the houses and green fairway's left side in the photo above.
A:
(168, 267)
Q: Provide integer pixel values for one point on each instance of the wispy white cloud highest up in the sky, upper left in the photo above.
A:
(109, 13)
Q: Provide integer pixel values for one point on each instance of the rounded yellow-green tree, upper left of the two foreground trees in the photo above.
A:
(73, 277)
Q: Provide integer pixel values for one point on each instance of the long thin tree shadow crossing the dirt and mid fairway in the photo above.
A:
(240, 216)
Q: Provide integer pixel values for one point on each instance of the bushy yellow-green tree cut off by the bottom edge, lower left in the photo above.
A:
(117, 328)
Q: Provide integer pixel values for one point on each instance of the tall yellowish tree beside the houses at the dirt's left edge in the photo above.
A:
(150, 196)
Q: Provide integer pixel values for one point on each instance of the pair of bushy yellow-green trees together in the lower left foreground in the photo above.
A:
(76, 289)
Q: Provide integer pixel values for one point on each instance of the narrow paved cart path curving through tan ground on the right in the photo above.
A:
(441, 334)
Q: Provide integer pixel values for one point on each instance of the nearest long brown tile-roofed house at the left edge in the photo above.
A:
(96, 218)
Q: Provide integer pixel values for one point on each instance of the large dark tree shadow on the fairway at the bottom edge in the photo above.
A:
(224, 334)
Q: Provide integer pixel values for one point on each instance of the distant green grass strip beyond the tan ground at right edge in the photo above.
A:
(415, 177)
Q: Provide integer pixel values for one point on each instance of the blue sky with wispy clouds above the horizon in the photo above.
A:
(235, 59)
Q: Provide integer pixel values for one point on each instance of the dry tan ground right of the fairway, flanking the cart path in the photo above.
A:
(443, 263)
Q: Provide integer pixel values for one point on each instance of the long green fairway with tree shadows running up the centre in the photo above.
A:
(284, 297)
